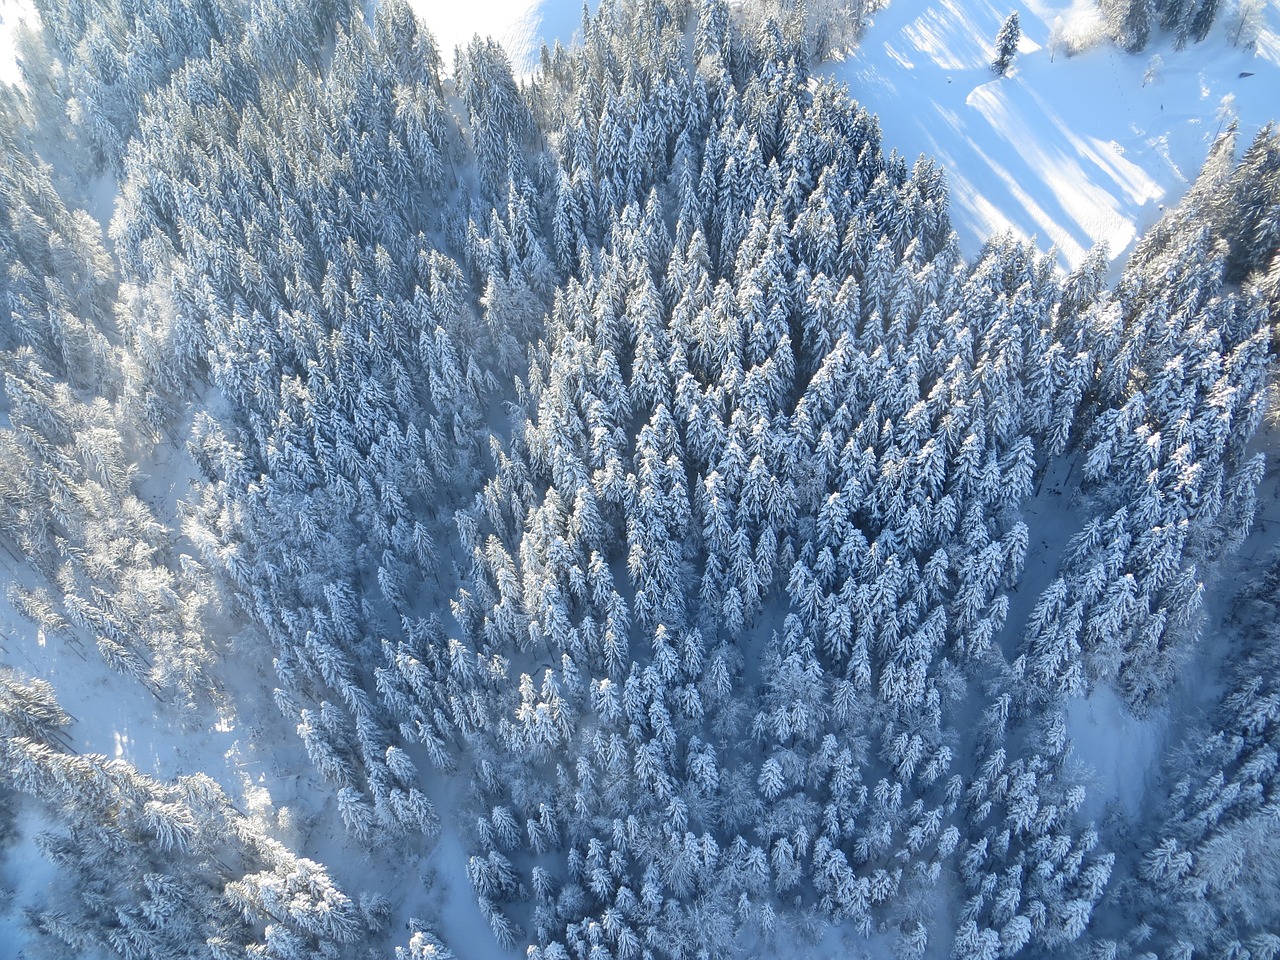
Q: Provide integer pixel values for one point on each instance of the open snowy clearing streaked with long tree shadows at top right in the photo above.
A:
(1071, 150)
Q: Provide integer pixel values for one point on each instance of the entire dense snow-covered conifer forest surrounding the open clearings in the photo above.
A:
(630, 452)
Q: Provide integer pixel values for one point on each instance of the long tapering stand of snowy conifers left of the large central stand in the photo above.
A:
(355, 362)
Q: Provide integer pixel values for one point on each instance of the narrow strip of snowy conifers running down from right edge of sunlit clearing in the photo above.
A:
(1167, 461)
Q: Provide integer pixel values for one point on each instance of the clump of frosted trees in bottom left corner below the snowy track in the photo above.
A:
(144, 868)
